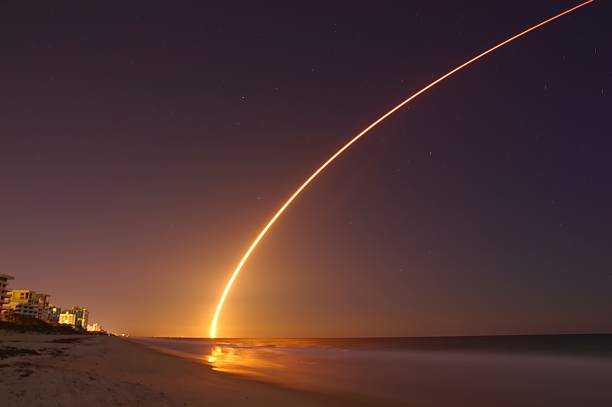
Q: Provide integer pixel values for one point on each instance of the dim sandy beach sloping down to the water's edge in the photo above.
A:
(58, 370)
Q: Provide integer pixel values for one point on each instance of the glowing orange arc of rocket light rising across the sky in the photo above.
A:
(262, 233)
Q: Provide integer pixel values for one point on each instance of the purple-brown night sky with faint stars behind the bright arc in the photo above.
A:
(144, 146)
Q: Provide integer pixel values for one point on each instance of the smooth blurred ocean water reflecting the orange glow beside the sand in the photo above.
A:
(543, 370)
